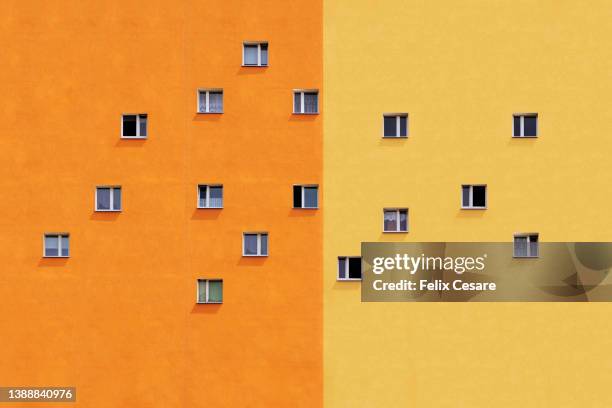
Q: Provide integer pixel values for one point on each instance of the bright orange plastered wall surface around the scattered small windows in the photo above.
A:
(118, 319)
